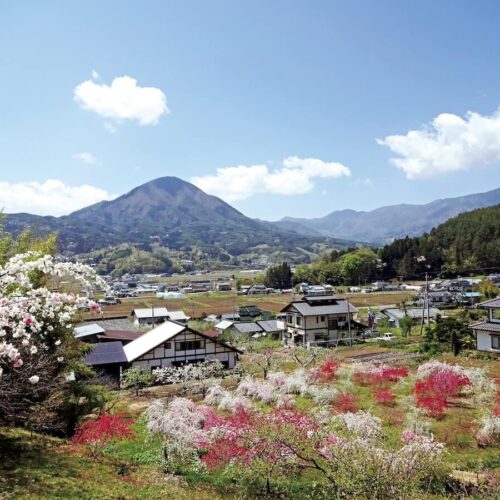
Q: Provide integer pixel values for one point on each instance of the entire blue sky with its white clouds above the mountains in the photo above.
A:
(293, 93)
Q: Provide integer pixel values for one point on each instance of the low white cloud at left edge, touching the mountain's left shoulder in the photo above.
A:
(51, 197)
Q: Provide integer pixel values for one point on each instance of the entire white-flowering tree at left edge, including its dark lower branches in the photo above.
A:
(38, 353)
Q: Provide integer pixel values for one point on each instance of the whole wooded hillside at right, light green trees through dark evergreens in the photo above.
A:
(468, 243)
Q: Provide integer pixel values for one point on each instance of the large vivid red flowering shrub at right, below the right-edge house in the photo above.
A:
(434, 391)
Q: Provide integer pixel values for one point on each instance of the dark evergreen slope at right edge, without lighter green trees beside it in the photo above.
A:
(469, 242)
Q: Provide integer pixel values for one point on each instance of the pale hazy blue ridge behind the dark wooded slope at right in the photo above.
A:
(384, 224)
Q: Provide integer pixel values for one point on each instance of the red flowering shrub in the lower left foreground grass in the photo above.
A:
(103, 429)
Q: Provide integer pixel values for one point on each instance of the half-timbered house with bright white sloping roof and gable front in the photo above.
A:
(173, 344)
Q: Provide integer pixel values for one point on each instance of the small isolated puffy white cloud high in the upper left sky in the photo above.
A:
(122, 100)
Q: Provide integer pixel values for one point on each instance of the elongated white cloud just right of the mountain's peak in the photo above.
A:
(295, 176)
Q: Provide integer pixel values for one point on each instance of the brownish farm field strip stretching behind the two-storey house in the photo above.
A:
(196, 305)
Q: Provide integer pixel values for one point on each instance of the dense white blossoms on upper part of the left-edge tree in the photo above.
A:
(28, 314)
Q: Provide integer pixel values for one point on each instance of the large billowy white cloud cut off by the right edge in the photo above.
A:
(448, 144)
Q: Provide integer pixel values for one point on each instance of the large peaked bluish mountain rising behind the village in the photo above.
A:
(173, 213)
